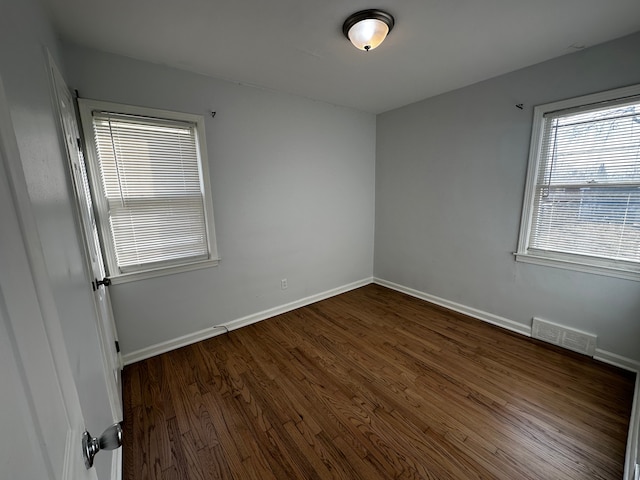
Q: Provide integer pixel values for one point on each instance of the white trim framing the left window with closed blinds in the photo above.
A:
(86, 107)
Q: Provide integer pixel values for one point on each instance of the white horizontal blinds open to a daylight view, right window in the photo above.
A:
(587, 198)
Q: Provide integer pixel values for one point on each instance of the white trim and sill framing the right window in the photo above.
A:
(558, 260)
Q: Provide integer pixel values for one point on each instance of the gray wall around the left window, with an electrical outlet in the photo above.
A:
(293, 196)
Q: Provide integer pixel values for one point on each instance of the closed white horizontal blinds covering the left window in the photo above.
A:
(151, 180)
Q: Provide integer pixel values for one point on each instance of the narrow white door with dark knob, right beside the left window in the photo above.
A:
(106, 325)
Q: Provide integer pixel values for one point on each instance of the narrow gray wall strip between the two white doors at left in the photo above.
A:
(25, 31)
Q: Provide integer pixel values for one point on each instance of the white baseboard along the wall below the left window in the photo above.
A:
(215, 330)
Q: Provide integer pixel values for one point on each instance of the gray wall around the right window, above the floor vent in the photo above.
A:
(450, 176)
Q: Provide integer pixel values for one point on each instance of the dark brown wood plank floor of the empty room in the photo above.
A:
(373, 384)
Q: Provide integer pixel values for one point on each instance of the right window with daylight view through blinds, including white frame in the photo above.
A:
(582, 203)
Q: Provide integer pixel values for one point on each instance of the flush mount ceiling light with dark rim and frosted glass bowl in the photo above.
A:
(368, 29)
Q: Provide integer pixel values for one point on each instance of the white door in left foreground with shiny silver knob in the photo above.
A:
(40, 415)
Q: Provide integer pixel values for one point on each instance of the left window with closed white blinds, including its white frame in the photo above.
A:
(151, 189)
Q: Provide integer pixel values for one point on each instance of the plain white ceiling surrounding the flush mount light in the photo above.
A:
(297, 46)
